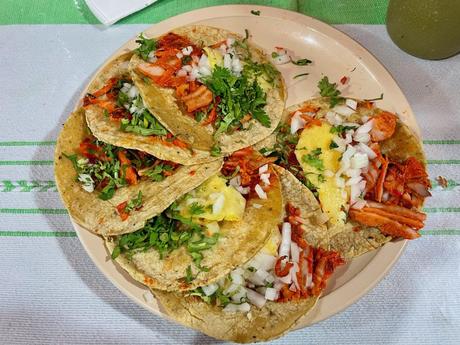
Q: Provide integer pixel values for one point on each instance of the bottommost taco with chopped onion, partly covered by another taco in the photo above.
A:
(266, 296)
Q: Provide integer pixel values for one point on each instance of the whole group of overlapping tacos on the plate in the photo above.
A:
(233, 210)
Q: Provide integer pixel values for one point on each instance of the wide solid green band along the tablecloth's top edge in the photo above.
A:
(76, 11)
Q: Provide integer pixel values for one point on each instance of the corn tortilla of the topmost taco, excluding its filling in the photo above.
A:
(162, 101)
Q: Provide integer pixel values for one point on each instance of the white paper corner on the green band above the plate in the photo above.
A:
(111, 11)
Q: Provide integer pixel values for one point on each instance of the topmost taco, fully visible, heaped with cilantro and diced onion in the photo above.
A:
(209, 87)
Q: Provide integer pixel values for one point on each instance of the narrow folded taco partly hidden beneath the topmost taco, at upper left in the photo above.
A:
(116, 114)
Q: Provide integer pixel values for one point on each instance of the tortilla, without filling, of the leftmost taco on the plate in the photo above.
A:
(100, 216)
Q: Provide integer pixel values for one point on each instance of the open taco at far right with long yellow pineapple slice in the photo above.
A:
(366, 167)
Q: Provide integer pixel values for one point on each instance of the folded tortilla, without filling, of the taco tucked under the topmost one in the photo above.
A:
(109, 131)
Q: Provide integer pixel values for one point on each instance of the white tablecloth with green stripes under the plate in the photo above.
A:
(51, 293)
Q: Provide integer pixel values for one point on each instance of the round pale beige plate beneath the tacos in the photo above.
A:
(333, 54)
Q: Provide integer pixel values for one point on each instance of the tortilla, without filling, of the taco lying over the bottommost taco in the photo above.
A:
(238, 242)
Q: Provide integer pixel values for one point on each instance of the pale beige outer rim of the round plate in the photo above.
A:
(390, 252)
